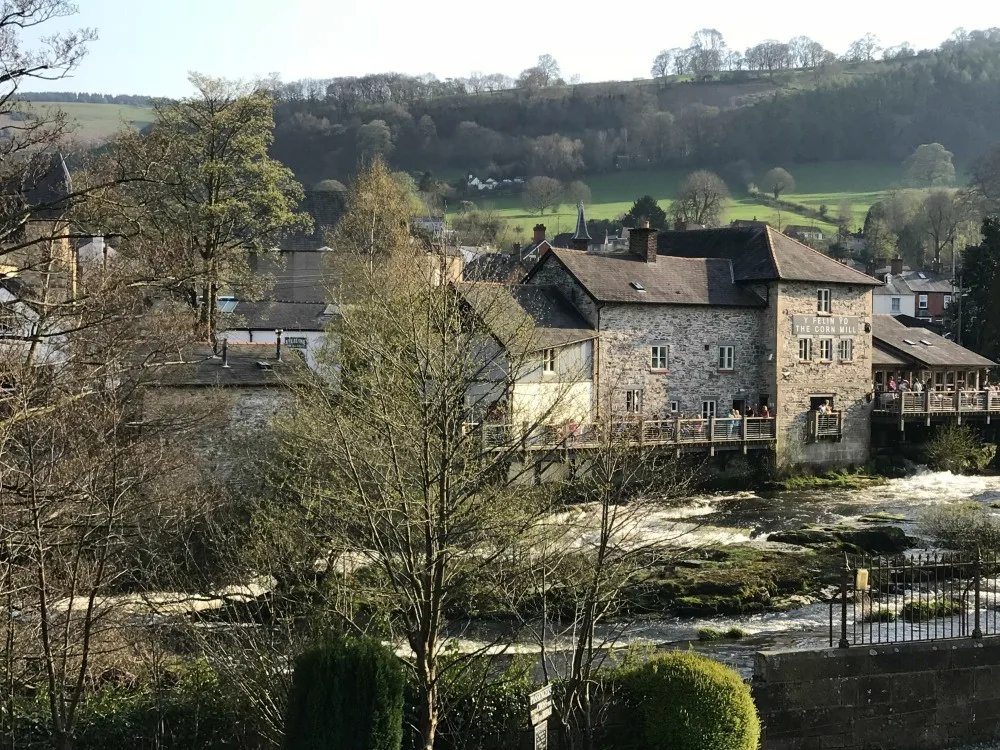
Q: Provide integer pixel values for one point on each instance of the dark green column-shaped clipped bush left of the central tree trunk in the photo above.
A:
(346, 693)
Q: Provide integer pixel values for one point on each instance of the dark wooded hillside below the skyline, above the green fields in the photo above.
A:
(837, 111)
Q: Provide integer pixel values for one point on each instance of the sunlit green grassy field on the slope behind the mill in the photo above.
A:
(816, 184)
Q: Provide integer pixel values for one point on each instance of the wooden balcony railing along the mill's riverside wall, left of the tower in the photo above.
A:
(711, 431)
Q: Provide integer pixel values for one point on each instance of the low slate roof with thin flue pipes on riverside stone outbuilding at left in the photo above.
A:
(197, 367)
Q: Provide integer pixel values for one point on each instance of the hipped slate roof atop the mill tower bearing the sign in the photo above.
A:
(761, 254)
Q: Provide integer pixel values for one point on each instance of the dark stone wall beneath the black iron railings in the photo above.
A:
(906, 696)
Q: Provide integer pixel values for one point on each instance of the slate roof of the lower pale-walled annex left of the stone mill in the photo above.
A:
(555, 322)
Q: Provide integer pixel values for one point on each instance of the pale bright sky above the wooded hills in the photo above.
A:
(149, 46)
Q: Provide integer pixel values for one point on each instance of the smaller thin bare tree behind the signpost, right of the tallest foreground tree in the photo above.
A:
(592, 553)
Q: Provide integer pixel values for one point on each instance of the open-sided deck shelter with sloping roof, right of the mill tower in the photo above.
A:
(916, 354)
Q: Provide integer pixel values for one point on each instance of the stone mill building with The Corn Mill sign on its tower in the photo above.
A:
(700, 322)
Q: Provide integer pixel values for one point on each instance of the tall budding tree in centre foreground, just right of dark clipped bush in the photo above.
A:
(413, 499)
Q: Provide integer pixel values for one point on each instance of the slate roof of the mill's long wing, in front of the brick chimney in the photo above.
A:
(668, 281)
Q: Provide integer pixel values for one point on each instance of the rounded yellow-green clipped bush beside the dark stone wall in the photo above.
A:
(684, 701)
